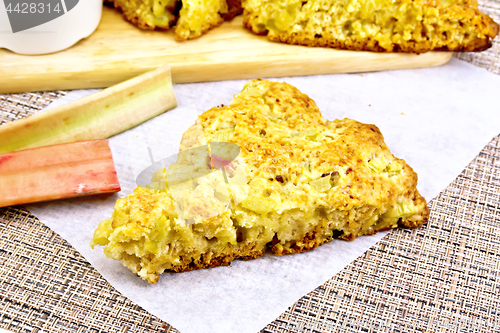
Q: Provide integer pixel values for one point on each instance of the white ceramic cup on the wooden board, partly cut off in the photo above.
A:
(45, 26)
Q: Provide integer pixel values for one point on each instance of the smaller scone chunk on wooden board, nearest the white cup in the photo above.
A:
(192, 18)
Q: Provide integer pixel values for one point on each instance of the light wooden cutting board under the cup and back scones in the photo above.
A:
(118, 51)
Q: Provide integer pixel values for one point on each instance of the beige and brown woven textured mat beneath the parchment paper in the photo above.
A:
(444, 277)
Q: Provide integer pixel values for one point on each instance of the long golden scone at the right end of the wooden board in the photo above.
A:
(413, 26)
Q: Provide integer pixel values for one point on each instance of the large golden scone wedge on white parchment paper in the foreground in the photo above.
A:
(266, 173)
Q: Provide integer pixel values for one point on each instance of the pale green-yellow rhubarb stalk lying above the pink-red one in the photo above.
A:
(98, 116)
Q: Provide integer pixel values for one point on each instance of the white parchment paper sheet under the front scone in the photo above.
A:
(438, 119)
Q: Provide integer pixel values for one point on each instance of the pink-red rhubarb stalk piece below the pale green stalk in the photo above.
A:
(57, 172)
